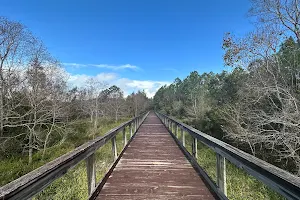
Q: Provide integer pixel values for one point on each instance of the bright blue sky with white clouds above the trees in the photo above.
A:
(135, 44)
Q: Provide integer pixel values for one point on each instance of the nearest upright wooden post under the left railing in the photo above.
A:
(91, 173)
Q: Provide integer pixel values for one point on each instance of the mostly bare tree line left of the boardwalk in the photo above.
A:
(37, 106)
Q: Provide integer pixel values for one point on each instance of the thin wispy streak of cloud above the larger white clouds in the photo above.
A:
(107, 66)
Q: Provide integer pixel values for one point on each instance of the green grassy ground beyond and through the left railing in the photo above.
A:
(72, 185)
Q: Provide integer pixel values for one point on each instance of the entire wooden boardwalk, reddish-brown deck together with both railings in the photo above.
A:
(153, 166)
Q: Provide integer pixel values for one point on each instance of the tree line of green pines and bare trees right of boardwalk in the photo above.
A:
(254, 106)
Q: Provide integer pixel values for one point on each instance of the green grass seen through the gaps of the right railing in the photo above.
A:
(240, 185)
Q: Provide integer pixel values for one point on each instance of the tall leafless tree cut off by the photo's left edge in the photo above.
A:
(15, 43)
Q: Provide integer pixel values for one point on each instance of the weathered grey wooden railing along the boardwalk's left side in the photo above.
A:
(32, 183)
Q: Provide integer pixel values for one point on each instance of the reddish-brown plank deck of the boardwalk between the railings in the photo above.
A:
(153, 167)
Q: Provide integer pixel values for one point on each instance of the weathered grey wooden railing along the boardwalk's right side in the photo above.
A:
(279, 180)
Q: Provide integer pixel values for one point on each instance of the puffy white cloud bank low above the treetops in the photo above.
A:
(127, 85)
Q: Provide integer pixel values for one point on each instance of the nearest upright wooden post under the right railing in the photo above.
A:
(221, 173)
